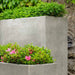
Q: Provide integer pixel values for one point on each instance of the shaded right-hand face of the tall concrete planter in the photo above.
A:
(56, 40)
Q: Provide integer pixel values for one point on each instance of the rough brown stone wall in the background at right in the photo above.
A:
(71, 35)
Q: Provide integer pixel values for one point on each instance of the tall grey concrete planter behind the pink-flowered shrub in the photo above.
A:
(45, 31)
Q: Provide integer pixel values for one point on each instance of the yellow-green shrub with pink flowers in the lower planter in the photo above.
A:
(37, 54)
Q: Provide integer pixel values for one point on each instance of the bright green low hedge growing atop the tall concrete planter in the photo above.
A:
(42, 9)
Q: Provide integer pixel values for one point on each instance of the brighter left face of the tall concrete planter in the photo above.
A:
(23, 31)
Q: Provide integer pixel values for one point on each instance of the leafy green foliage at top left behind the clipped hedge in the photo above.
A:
(10, 4)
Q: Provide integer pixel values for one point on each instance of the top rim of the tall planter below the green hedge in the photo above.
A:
(33, 17)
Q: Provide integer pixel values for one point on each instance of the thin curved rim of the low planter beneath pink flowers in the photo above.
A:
(26, 65)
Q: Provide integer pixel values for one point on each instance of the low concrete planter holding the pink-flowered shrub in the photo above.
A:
(41, 69)
